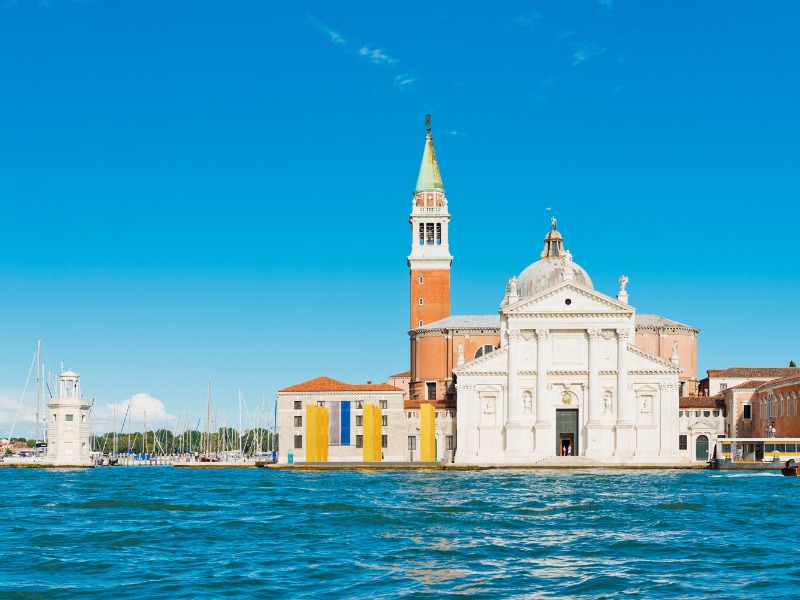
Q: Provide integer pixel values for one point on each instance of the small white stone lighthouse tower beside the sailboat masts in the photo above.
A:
(68, 431)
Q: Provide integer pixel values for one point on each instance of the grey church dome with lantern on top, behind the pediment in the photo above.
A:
(555, 265)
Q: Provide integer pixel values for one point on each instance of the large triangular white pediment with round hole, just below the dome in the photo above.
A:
(568, 297)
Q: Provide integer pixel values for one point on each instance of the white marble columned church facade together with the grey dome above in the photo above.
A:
(567, 377)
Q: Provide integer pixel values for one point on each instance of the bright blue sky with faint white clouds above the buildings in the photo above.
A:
(209, 189)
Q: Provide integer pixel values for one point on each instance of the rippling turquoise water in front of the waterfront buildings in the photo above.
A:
(160, 532)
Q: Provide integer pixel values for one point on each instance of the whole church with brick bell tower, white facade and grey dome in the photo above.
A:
(560, 369)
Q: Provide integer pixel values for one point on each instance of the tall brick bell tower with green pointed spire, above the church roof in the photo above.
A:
(430, 260)
